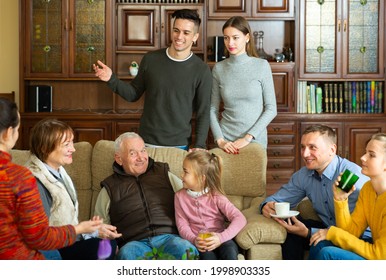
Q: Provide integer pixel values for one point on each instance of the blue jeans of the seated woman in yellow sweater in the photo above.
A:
(326, 250)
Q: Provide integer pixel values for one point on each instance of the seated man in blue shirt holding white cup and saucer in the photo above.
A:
(313, 181)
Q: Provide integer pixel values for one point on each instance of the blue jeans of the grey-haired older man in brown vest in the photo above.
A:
(168, 244)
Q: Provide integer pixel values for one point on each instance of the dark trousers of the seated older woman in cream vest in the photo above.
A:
(86, 250)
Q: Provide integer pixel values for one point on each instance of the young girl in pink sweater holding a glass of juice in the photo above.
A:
(202, 206)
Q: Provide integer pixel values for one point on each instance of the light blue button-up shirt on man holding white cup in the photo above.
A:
(307, 183)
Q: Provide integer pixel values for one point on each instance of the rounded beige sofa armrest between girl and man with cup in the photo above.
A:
(259, 229)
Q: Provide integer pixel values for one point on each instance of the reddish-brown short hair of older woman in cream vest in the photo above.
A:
(46, 135)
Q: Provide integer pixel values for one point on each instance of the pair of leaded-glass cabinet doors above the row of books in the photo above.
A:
(341, 39)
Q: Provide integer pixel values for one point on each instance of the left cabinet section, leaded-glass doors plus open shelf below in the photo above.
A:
(59, 42)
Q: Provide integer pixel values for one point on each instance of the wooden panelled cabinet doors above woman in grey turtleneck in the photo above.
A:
(257, 9)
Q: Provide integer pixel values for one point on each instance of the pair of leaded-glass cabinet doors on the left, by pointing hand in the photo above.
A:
(63, 38)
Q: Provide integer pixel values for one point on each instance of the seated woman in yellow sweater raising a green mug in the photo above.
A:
(370, 210)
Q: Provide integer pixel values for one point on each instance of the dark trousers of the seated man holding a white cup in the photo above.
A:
(294, 246)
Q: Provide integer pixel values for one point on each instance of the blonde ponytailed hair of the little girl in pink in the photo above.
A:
(208, 165)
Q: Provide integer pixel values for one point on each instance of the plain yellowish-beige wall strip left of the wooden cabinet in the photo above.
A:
(9, 46)
